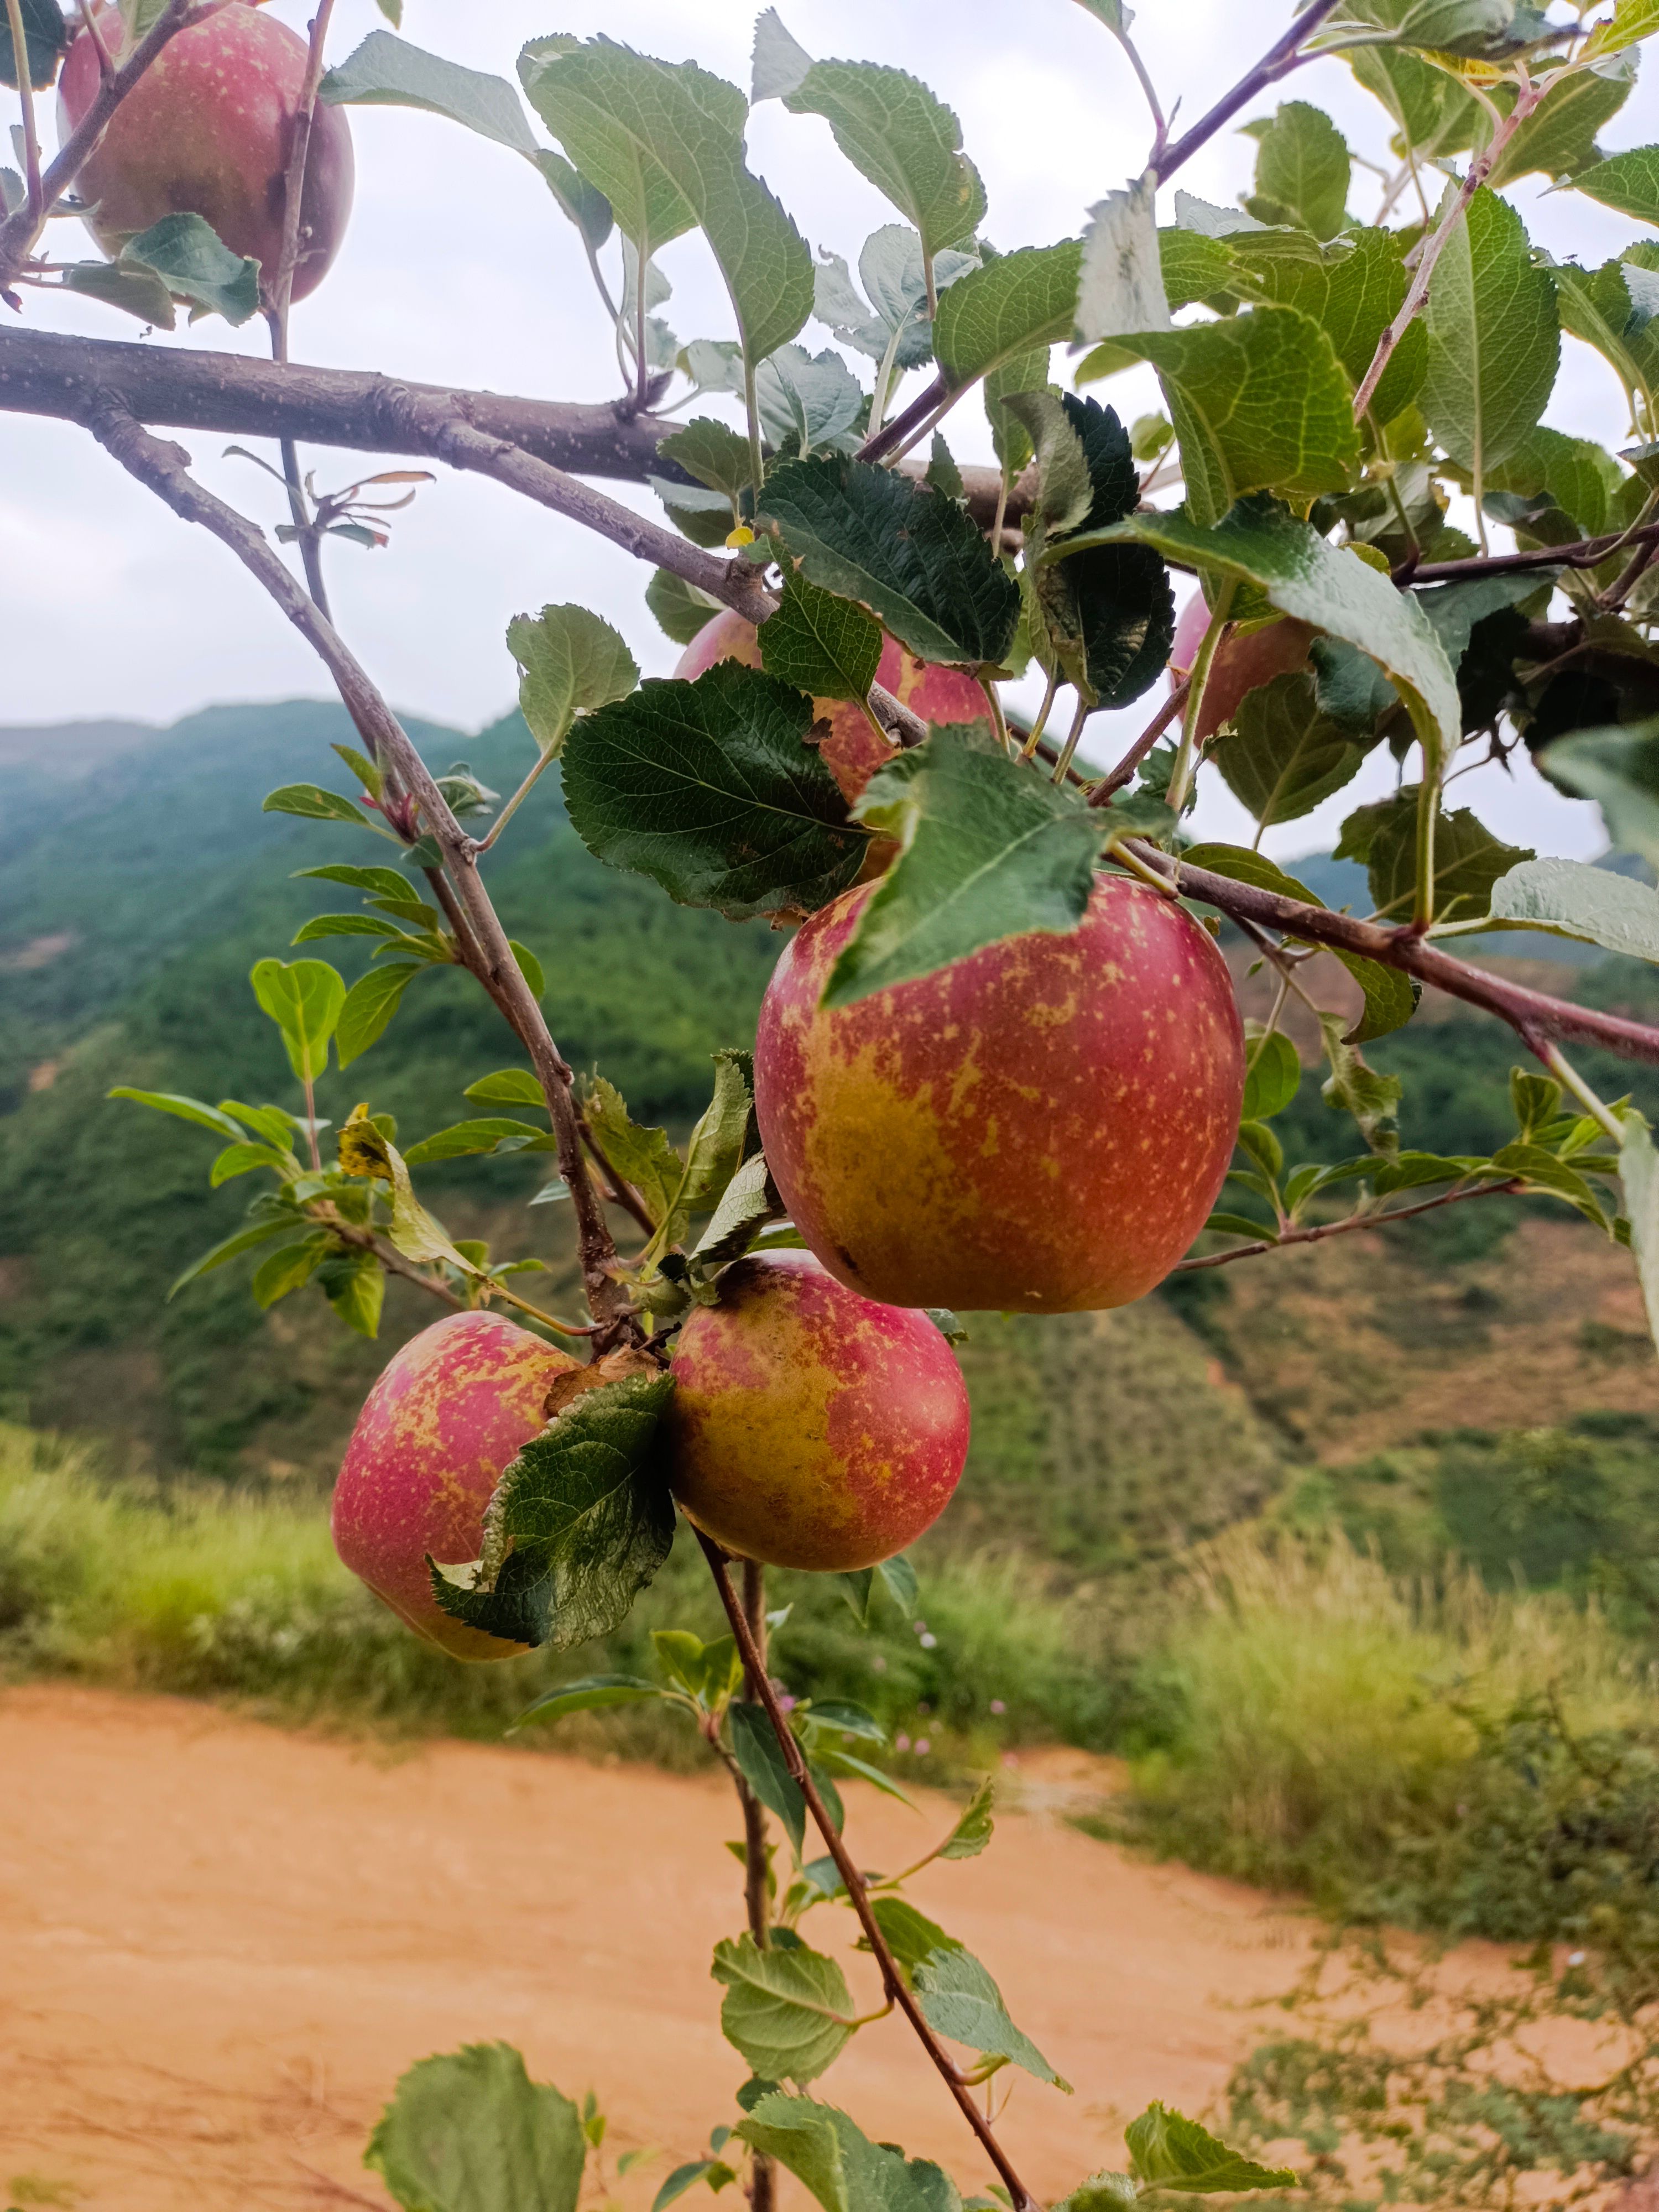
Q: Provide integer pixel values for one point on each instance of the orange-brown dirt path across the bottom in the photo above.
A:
(222, 1943)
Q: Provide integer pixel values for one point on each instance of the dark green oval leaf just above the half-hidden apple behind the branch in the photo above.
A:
(915, 559)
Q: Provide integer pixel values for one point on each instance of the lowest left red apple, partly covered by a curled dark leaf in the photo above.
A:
(428, 1450)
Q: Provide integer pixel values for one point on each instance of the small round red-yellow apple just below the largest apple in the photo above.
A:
(813, 1428)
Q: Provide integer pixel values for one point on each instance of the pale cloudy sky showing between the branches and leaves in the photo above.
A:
(459, 269)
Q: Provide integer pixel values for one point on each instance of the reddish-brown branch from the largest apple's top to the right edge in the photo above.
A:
(1527, 1012)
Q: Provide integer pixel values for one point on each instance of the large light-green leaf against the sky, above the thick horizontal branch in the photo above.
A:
(665, 143)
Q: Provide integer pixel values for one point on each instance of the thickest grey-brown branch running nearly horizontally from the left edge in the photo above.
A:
(180, 388)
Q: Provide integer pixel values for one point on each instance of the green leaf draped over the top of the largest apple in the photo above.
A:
(990, 851)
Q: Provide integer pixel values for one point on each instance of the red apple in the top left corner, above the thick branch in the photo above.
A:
(209, 132)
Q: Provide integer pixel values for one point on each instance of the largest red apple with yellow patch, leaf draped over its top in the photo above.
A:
(1039, 1129)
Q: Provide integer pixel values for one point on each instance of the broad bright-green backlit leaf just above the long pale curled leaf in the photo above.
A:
(1260, 404)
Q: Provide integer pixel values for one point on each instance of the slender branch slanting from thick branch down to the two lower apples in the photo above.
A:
(165, 470)
